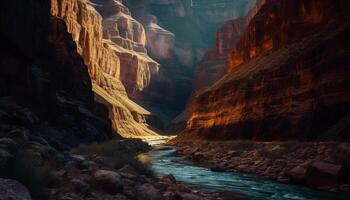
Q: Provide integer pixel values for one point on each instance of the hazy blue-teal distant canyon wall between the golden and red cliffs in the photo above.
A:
(179, 32)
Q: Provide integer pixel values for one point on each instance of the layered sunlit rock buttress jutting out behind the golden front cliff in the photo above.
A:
(130, 39)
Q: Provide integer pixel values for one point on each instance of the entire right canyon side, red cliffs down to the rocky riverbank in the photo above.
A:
(272, 97)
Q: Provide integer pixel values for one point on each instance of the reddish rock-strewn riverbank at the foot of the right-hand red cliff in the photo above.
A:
(320, 165)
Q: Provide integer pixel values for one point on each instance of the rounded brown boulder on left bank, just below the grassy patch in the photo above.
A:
(109, 181)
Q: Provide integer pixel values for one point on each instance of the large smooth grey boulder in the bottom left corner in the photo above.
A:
(11, 189)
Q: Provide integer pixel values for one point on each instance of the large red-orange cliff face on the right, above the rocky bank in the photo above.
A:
(288, 77)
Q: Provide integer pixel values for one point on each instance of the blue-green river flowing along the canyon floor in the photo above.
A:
(164, 160)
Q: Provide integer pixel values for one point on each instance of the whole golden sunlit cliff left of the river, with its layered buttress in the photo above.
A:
(112, 45)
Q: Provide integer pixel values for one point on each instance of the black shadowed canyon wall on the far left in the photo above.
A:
(45, 89)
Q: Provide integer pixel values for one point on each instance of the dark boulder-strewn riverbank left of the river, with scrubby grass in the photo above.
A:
(99, 171)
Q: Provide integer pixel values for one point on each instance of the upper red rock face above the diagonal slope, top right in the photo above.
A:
(283, 23)
